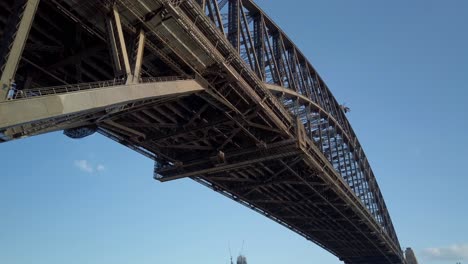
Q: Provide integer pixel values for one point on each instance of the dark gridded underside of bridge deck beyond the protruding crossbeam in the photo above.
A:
(286, 183)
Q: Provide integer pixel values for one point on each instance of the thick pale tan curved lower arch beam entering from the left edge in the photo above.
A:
(18, 112)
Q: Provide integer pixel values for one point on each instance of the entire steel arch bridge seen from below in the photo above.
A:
(212, 90)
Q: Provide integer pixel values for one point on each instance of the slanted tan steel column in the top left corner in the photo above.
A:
(14, 40)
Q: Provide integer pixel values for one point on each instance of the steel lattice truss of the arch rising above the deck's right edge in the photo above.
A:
(275, 59)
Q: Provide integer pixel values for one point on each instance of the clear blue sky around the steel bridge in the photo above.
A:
(402, 68)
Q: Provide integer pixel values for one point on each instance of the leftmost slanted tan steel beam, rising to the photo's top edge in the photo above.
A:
(13, 55)
